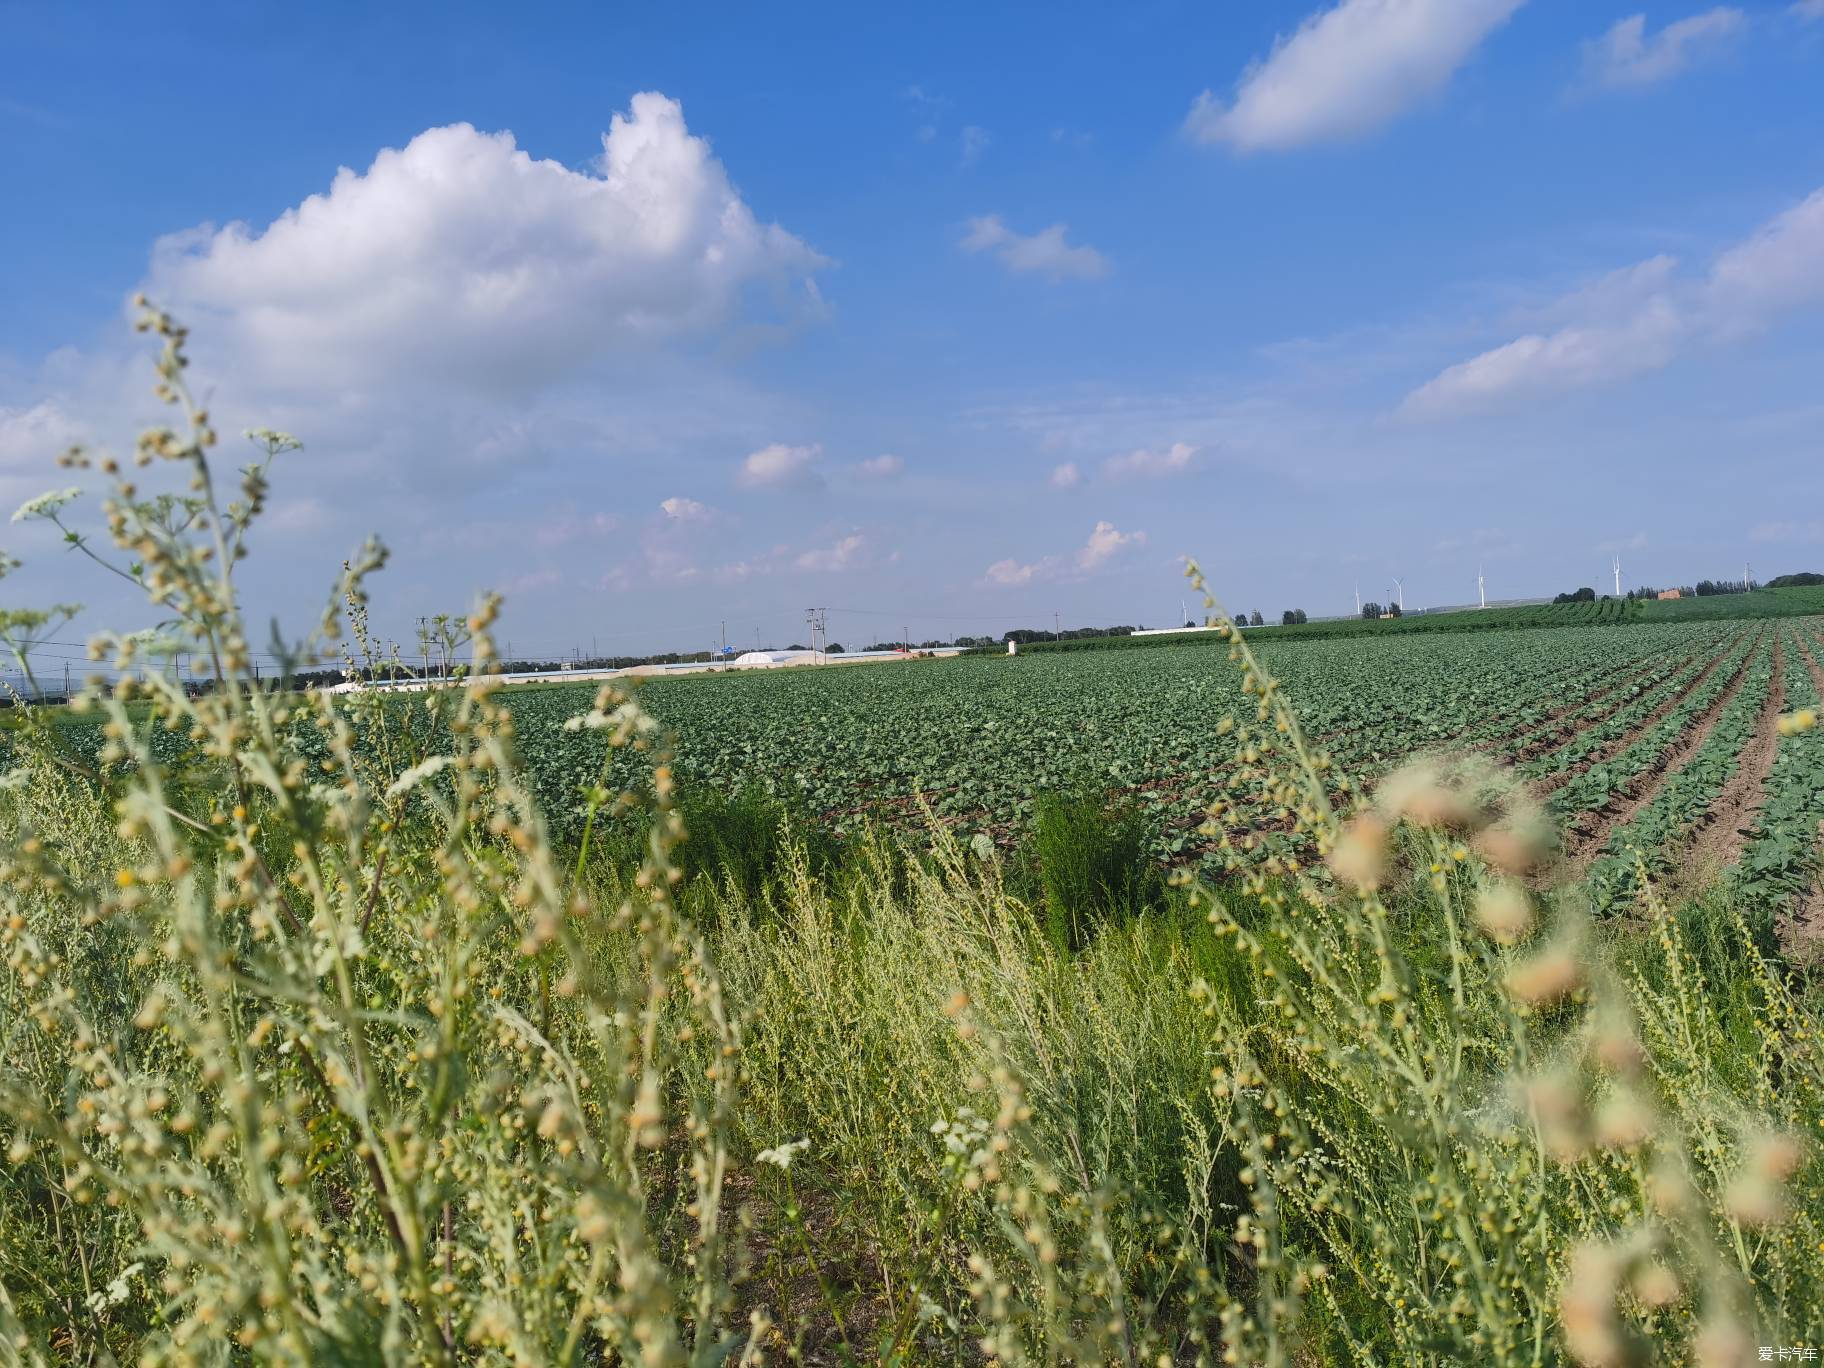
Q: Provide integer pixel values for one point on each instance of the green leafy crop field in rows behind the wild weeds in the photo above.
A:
(1597, 720)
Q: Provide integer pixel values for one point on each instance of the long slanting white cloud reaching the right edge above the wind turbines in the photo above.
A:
(1643, 318)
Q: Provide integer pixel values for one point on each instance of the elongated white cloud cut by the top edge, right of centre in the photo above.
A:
(1349, 72)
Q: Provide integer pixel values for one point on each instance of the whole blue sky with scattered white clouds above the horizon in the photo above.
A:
(940, 316)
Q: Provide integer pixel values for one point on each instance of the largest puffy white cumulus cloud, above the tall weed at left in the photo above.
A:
(462, 258)
